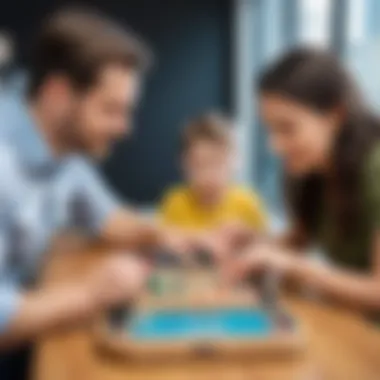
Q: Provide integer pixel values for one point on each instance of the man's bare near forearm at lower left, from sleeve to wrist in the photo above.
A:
(44, 310)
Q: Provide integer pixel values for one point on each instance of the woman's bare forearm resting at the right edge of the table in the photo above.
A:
(363, 291)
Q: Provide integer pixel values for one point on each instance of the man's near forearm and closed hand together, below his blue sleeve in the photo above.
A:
(118, 279)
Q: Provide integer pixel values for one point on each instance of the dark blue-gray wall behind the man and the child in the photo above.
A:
(191, 40)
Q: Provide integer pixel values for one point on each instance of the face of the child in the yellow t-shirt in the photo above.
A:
(208, 166)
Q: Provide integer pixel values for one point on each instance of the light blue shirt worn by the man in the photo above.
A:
(39, 195)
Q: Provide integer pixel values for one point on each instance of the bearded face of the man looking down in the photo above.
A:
(102, 115)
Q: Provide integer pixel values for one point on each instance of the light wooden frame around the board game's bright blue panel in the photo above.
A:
(284, 342)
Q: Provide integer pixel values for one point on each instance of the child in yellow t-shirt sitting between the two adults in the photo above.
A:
(209, 200)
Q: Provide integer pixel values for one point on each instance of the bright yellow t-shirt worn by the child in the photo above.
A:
(180, 209)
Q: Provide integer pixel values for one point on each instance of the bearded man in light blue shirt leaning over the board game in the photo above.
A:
(84, 81)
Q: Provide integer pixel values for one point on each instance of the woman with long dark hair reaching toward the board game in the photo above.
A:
(329, 143)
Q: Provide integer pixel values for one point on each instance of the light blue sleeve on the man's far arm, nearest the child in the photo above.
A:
(96, 201)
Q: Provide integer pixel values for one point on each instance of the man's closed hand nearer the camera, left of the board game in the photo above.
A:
(119, 279)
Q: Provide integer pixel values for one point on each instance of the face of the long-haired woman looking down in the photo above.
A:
(302, 137)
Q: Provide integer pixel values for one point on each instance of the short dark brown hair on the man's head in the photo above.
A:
(78, 43)
